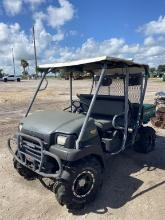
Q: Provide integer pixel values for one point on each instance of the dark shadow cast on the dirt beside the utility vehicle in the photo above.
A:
(119, 186)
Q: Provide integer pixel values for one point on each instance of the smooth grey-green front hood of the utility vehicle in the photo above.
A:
(48, 122)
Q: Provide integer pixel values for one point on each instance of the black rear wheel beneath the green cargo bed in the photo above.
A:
(146, 140)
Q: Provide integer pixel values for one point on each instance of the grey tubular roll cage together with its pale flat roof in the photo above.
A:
(101, 66)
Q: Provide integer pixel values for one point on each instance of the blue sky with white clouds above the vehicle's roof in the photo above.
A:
(77, 29)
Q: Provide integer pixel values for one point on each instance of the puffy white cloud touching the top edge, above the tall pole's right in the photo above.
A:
(58, 16)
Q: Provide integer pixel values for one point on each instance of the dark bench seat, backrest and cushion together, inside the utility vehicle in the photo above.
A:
(105, 108)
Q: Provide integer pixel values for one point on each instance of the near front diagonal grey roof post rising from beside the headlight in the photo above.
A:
(90, 107)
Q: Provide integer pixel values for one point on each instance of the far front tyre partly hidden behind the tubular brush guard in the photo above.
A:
(24, 171)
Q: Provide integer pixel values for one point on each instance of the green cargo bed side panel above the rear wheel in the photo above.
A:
(148, 112)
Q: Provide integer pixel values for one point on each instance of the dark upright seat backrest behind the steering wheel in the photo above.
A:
(104, 105)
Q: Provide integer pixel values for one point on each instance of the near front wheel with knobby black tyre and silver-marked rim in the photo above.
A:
(79, 185)
